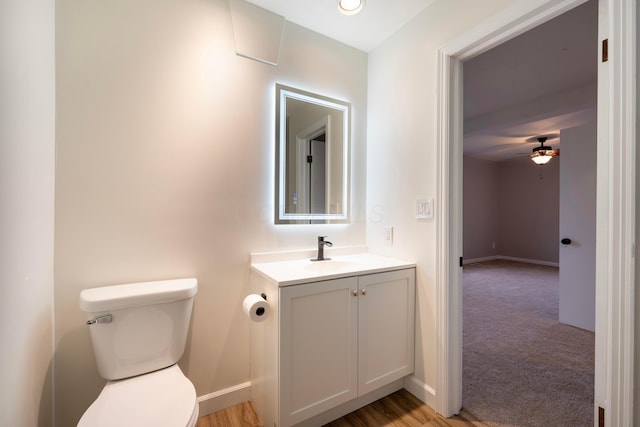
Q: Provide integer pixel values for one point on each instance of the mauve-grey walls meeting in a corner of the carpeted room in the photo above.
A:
(514, 204)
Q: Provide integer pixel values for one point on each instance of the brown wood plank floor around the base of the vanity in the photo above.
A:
(400, 409)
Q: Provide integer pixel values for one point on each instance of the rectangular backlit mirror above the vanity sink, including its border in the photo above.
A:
(312, 158)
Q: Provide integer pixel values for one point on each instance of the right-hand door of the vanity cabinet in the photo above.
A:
(386, 323)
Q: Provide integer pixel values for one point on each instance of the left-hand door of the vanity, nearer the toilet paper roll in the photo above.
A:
(318, 347)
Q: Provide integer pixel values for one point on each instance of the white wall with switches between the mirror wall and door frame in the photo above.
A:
(401, 151)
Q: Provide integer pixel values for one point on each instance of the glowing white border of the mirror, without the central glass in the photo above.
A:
(282, 94)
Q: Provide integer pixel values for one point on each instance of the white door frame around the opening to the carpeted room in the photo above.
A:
(615, 228)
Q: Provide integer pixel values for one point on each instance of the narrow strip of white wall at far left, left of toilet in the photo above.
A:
(27, 146)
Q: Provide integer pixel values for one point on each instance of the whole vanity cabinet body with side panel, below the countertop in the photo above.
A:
(331, 346)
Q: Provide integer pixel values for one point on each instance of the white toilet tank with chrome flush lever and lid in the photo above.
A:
(138, 327)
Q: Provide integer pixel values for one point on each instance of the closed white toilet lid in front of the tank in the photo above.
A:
(162, 398)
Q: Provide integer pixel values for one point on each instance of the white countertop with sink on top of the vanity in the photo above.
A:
(294, 272)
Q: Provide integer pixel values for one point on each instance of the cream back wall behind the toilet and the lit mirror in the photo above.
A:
(165, 147)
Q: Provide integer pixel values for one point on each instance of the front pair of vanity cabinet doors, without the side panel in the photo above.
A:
(343, 338)
